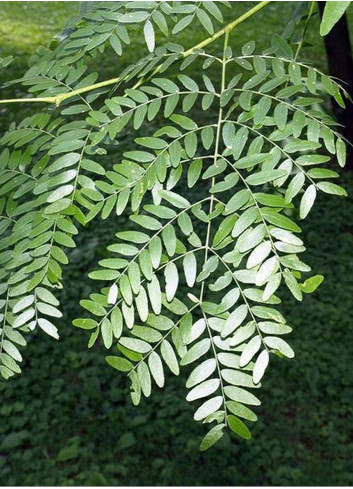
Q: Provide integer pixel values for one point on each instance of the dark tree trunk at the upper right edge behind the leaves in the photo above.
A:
(339, 58)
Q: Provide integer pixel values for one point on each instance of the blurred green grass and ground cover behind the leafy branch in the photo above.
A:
(68, 420)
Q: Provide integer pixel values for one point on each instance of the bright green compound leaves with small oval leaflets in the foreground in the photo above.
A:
(215, 198)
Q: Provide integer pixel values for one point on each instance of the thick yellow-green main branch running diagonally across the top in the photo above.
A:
(57, 99)
